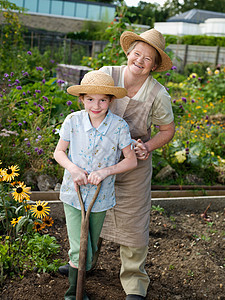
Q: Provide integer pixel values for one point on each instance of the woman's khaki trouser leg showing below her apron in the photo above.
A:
(133, 276)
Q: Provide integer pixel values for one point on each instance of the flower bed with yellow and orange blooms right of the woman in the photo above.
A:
(197, 147)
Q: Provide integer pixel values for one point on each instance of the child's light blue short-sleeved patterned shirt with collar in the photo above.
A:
(93, 149)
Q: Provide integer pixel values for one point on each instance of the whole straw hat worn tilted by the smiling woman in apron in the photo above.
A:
(152, 37)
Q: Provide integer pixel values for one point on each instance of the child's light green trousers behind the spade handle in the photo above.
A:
(73, 223)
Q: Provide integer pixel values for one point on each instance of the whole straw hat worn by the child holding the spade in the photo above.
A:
(97, 82)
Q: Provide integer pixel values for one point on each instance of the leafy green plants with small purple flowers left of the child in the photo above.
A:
(33, 106)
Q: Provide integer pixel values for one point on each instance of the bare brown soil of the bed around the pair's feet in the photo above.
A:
(186, 260)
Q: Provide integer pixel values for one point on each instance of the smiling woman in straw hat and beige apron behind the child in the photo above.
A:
(146, 103)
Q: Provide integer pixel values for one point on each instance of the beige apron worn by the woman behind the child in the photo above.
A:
(128, 222)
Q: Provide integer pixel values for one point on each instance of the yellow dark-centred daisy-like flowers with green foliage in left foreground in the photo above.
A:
(22, 248)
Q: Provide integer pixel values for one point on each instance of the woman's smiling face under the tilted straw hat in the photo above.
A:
(141, 60)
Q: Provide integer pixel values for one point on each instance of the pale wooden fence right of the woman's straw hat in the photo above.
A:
(187, 54)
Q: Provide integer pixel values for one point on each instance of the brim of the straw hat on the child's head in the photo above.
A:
(76, 90)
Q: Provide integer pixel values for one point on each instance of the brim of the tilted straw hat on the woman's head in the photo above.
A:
(128, 37)
